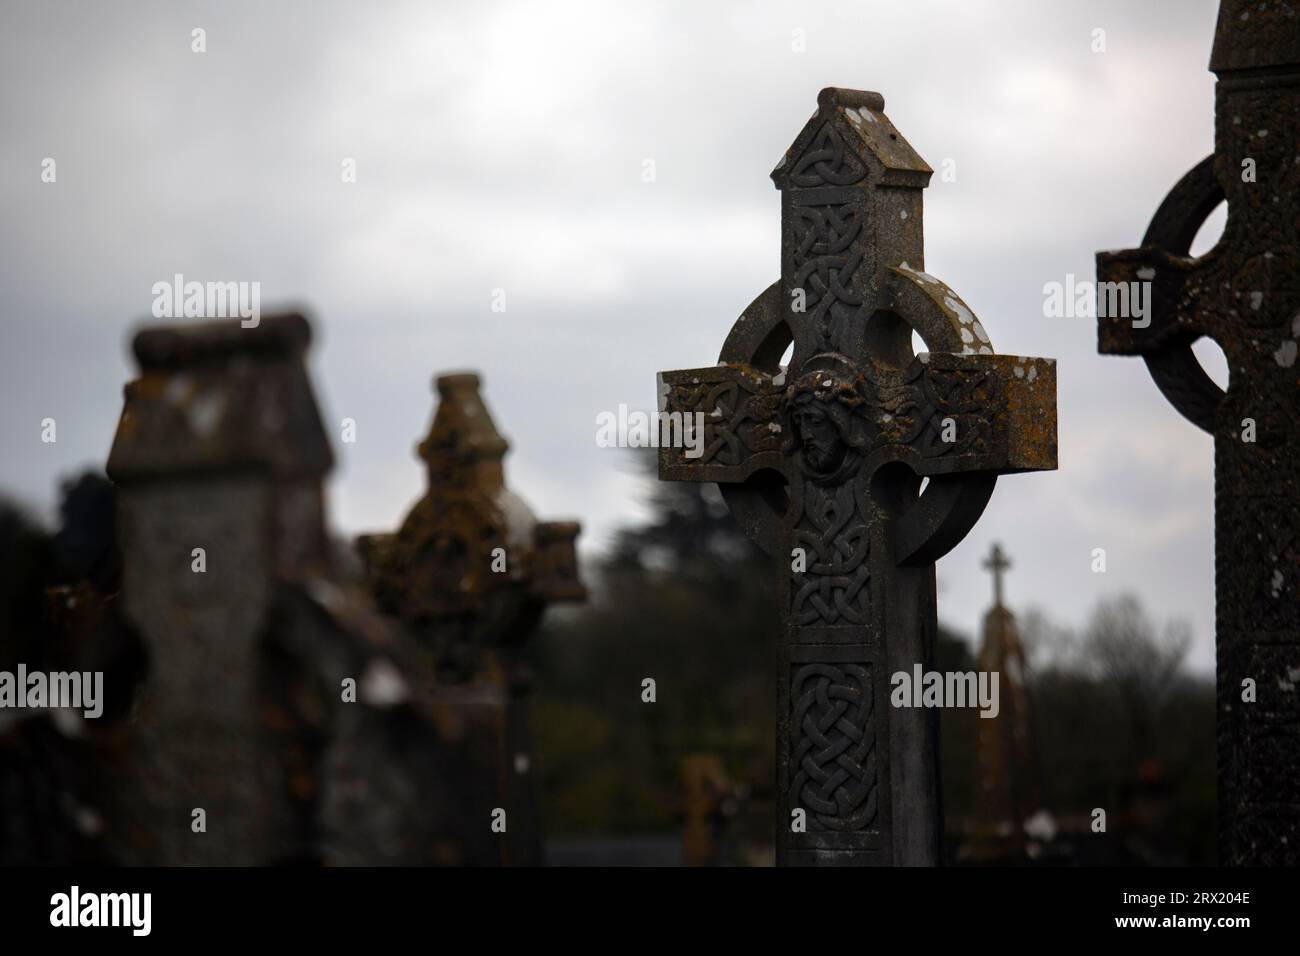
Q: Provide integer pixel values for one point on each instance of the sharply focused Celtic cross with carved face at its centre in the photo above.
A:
(824, 468)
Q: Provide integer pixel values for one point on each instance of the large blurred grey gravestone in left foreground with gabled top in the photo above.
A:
(245, 743)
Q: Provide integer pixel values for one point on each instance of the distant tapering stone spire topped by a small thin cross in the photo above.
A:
(1008, 784)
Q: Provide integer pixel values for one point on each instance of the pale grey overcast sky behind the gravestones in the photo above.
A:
(502, 146)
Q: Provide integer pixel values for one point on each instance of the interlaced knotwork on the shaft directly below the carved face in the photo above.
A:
(837, 543)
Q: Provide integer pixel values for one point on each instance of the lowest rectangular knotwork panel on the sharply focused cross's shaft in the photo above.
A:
(833, 746)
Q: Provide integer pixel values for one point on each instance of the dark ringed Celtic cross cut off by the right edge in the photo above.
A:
(1245, 295)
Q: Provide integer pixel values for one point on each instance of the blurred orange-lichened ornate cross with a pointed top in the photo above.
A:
(470, 574)
